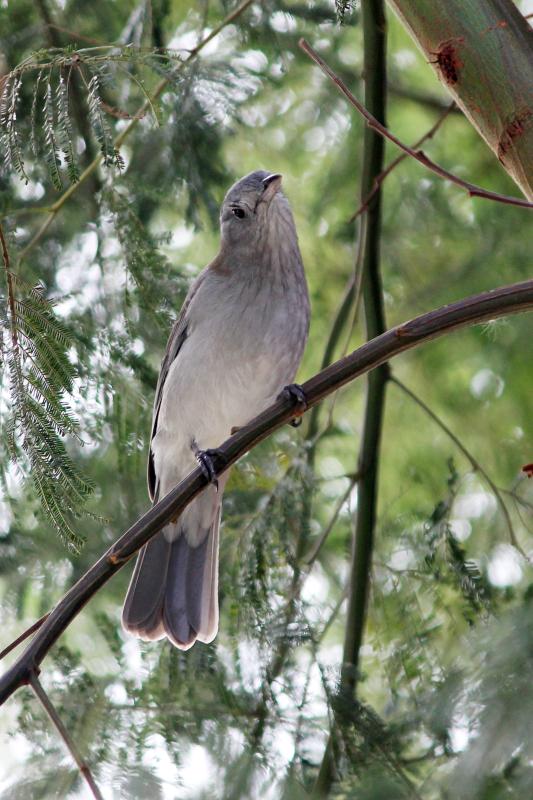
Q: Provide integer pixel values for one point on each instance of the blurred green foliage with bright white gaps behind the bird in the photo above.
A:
(446, 684)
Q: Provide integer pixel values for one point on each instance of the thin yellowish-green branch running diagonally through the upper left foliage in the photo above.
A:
(88, 171)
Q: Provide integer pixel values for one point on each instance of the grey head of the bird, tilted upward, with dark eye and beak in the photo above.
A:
(251, 209)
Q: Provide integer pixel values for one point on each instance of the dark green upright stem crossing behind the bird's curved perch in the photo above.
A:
(374, 45)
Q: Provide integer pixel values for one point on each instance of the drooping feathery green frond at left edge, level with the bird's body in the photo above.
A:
(39, 375)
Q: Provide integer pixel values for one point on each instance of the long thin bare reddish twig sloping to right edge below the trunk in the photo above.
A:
(418, 155)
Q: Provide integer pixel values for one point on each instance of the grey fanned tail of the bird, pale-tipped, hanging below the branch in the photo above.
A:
(174, 588)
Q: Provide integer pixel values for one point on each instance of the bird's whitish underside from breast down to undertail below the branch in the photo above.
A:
(201, 402)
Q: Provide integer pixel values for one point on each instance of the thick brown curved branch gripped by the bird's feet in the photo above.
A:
(468, 311)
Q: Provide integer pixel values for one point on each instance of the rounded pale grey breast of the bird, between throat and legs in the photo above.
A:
(242, 347)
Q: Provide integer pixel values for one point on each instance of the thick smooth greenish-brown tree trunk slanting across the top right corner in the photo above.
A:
(482, 51)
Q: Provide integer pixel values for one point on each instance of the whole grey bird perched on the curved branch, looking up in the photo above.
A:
(237, 343)
